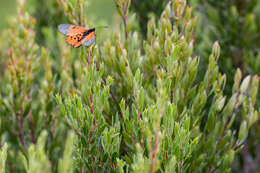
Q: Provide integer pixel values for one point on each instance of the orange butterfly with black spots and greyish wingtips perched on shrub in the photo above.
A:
(78, 36)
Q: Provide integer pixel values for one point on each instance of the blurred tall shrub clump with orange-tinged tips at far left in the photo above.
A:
(27, 106)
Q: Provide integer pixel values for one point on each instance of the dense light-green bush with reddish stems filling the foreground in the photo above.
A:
(124, 104)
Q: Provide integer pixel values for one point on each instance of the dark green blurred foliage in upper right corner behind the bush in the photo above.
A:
(238, 35)
